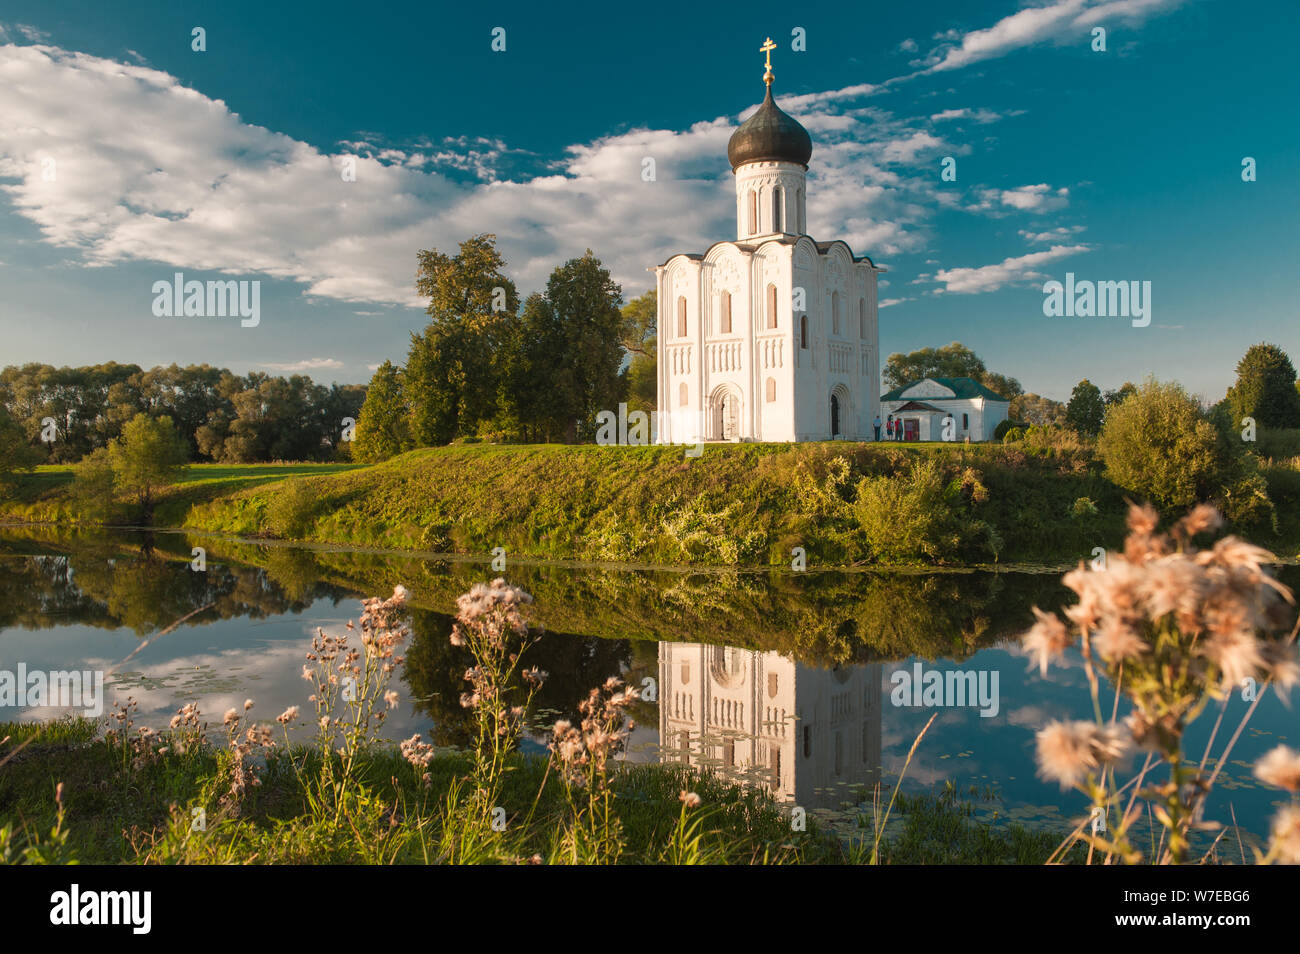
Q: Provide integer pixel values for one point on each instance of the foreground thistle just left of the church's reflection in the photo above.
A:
(583, 754)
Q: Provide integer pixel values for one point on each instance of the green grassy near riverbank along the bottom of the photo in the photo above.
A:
(167, 810)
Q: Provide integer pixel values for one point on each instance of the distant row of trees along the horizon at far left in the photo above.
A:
(219, 415)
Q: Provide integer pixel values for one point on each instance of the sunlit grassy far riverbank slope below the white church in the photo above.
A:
(825, 505)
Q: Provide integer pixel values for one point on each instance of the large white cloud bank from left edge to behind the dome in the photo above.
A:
(151, 171)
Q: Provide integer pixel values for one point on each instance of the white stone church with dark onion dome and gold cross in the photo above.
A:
(774, 336)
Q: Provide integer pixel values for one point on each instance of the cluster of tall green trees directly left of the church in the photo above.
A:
(491, 367)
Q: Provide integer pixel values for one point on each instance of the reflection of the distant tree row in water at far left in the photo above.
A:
(114, 588)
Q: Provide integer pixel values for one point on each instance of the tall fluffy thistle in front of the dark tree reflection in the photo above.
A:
(491, 625)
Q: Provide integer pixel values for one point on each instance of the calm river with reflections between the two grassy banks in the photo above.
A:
(782, 680)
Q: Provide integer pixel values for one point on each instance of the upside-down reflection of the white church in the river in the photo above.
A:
(811, 736)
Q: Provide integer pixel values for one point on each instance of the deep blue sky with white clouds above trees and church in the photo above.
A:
(1117, 166)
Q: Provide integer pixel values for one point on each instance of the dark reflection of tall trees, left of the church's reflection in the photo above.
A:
(436, 674)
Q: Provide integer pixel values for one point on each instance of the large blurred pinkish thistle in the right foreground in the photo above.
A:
(1173, 630)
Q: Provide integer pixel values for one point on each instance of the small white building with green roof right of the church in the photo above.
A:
(924, 406)
